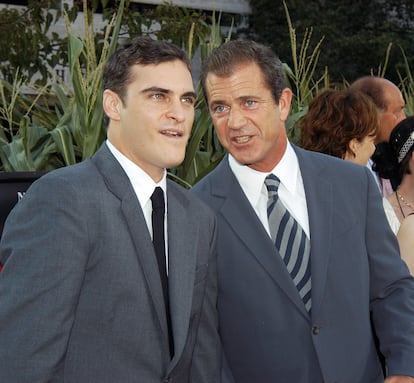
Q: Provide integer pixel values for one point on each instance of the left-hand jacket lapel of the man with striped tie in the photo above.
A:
(243, 220)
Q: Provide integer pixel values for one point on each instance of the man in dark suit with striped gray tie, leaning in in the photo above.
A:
(308, 266)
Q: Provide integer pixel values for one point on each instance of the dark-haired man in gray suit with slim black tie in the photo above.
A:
(82, 296)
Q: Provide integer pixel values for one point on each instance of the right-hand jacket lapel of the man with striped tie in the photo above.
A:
(319, 200)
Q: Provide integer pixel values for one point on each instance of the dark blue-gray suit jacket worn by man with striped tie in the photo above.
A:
(267, 334)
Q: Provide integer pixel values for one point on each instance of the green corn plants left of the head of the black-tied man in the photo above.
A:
(34, 136)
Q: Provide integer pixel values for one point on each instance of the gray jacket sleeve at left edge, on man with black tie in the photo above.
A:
(43, 251)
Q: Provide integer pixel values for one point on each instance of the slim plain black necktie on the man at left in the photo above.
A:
(158, 239)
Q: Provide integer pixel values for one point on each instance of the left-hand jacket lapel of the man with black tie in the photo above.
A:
(118, 183)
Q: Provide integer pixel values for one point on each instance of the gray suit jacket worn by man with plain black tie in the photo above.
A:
(80, 293)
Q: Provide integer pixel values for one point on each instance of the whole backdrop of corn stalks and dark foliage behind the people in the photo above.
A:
(46, 123)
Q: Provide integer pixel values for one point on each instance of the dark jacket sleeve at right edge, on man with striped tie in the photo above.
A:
(391, 290)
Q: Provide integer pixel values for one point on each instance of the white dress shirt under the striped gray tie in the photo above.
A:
(291, 189)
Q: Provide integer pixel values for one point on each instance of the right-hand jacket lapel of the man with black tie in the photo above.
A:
(182, 254)
